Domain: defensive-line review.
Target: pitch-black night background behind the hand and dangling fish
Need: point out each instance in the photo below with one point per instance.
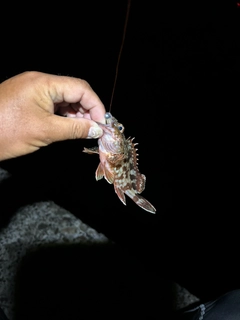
(177, 93)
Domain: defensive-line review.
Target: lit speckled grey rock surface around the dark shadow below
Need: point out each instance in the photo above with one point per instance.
(45, 223)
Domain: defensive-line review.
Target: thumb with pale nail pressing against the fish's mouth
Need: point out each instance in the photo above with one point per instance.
(63, 128)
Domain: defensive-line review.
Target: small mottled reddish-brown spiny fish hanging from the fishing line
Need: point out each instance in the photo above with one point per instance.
(119, 163)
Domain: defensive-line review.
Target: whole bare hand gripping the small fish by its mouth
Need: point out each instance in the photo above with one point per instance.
(32, 106)
